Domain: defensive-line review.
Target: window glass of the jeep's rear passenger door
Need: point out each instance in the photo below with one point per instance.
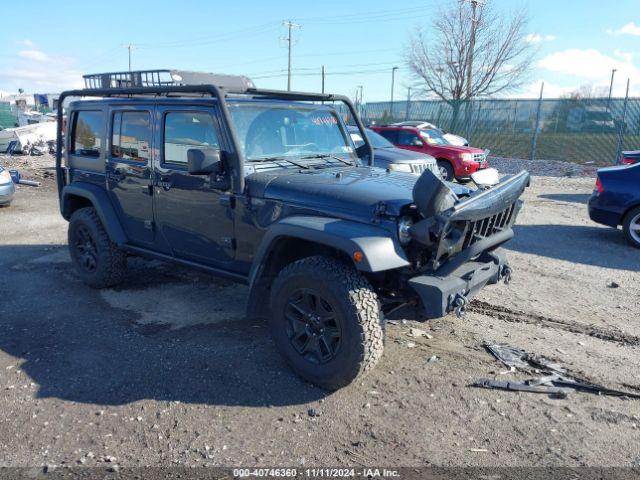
(131, 136)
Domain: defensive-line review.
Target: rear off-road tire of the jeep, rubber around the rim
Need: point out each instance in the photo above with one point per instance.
(110, 261)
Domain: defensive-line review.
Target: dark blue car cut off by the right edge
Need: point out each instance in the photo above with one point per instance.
(616, 200)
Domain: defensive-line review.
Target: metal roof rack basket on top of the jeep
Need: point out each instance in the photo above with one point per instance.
(165, 78)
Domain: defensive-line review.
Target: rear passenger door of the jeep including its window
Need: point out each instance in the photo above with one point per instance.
(129, 171)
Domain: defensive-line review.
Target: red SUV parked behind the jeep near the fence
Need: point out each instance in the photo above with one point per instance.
(453, 162)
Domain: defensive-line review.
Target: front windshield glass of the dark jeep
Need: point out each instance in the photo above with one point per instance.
(289, 130)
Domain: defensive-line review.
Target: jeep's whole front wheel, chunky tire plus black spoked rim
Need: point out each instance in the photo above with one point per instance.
(326, 321)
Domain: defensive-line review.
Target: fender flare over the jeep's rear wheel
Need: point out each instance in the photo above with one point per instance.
(102, 204)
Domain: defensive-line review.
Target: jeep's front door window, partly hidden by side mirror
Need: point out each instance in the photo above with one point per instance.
(186, 130)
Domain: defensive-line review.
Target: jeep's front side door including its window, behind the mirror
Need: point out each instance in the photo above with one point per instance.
(192, 212)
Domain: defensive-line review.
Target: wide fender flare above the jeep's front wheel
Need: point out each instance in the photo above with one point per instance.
(380, 250)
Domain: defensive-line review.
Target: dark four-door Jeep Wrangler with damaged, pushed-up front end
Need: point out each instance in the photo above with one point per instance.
(266, 188)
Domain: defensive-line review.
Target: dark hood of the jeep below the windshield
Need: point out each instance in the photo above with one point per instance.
(353, 192)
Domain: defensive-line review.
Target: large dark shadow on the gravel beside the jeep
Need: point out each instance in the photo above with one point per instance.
(77, 346)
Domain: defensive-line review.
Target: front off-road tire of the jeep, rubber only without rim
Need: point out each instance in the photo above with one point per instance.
(357, 307)
